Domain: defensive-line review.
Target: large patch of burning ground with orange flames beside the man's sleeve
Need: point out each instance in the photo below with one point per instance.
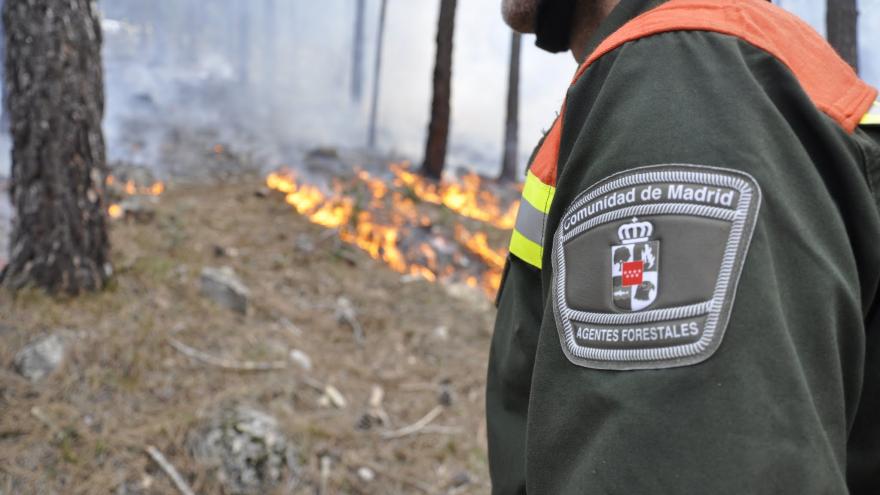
(389, 221)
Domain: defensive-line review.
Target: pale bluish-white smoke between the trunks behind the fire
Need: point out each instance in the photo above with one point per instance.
(278, 79)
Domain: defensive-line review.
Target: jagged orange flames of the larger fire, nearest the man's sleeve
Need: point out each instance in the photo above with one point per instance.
(359, 226)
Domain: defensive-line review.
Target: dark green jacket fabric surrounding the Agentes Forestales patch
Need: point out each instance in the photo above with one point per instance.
(789, 402)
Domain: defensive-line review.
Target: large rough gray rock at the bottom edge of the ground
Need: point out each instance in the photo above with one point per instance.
(246, 449)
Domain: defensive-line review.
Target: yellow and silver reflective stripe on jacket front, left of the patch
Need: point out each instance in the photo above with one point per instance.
(527, 241)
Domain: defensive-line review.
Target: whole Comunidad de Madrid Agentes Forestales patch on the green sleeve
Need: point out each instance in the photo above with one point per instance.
(617, 306)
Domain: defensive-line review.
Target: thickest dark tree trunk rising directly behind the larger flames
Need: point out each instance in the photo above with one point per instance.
(438, 129)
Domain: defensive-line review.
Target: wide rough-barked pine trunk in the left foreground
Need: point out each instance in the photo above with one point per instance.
(54, 84)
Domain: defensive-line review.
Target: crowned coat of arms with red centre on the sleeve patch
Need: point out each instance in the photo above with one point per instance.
(635, 266)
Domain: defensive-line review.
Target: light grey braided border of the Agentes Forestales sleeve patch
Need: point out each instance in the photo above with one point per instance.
(716, 310)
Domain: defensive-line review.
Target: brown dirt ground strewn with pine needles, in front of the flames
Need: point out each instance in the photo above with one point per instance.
(83, 429)
